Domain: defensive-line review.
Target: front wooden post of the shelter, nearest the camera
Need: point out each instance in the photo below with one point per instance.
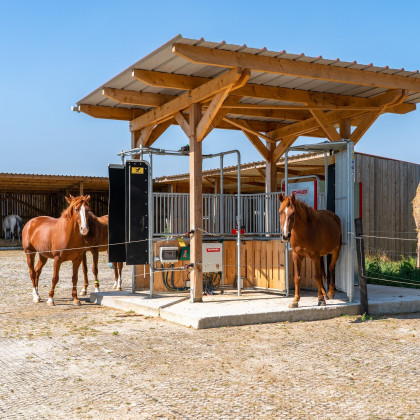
(196, 211)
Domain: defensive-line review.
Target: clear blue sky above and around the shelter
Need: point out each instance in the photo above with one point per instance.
(53, 53)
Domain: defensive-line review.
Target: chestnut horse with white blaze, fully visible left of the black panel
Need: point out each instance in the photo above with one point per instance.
(61, 239)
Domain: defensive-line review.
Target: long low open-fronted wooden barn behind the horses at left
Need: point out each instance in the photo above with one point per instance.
(30, 195)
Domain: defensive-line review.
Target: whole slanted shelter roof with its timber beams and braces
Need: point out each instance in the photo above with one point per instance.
(272, 97)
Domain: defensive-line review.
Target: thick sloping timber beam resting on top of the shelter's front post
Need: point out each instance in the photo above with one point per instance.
(199, 94)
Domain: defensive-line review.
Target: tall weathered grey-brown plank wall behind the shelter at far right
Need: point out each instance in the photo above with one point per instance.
(388, 189)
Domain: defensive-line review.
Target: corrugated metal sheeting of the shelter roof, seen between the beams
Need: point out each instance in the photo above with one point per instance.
(163, 60)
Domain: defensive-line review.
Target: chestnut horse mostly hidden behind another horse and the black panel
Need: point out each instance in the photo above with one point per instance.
(97, 241)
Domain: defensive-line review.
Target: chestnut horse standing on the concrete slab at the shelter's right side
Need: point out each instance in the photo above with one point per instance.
(312, 234)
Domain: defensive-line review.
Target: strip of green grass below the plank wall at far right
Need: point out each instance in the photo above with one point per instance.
(403, 273)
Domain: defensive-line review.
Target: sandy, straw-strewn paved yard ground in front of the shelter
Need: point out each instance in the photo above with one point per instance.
(95, 362)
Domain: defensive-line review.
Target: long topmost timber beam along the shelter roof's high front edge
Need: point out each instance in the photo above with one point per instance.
(224, 58)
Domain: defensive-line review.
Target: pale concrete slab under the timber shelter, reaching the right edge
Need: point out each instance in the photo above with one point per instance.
(255, 307)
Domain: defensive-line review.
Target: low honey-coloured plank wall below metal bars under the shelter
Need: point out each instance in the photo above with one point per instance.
(262, 266)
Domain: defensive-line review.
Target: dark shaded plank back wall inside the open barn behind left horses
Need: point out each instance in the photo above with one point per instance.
(28, 205)
